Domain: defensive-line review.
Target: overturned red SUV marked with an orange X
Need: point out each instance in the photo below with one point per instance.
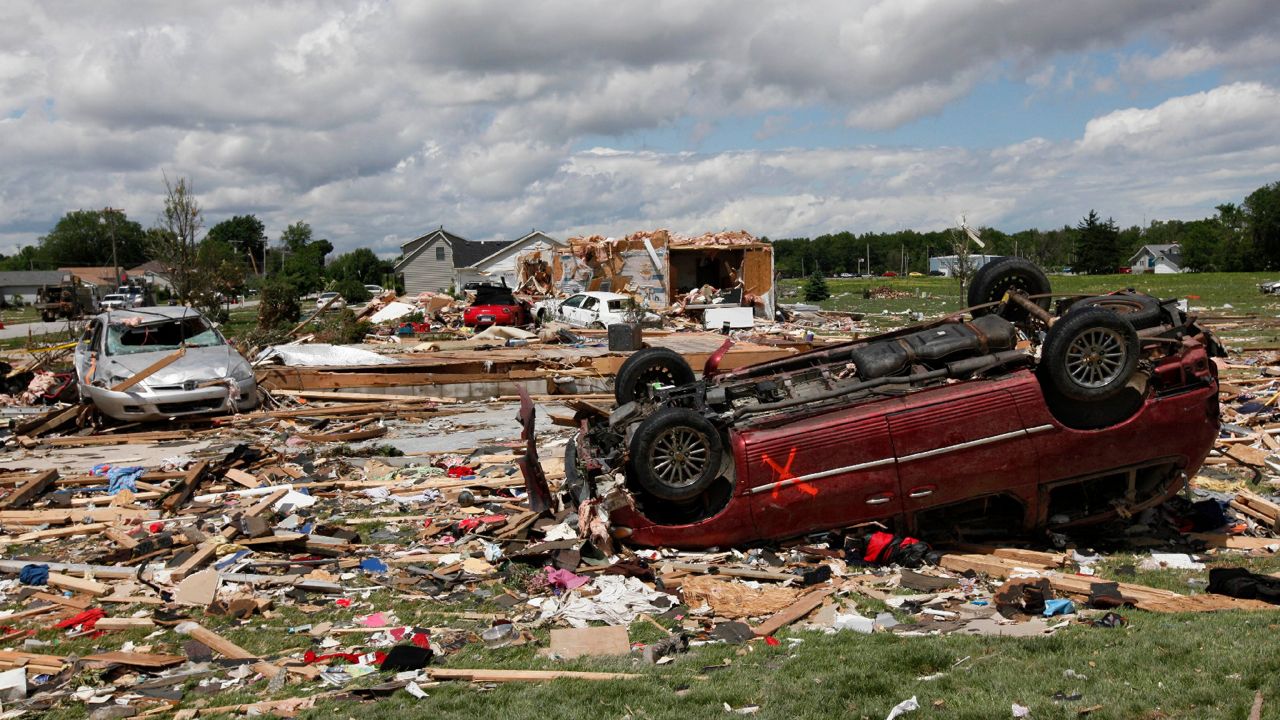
(1004, 418)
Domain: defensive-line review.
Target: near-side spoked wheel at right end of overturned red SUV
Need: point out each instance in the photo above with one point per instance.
(1090, 354)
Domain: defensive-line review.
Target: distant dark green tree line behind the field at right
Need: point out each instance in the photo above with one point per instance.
(1238, 238)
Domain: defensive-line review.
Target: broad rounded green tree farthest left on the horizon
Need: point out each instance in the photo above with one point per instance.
(84, 239)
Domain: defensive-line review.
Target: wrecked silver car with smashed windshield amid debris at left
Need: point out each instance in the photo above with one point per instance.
(186, 366)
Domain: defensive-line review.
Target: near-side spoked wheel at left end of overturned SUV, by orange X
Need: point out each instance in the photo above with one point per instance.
(676, 454)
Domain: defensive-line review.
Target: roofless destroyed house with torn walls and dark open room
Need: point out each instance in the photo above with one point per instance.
(660, 267)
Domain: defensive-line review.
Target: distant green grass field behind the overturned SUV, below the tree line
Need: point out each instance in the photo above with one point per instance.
(936, 297)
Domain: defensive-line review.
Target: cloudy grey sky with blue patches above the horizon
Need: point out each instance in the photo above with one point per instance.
(380, 121)
